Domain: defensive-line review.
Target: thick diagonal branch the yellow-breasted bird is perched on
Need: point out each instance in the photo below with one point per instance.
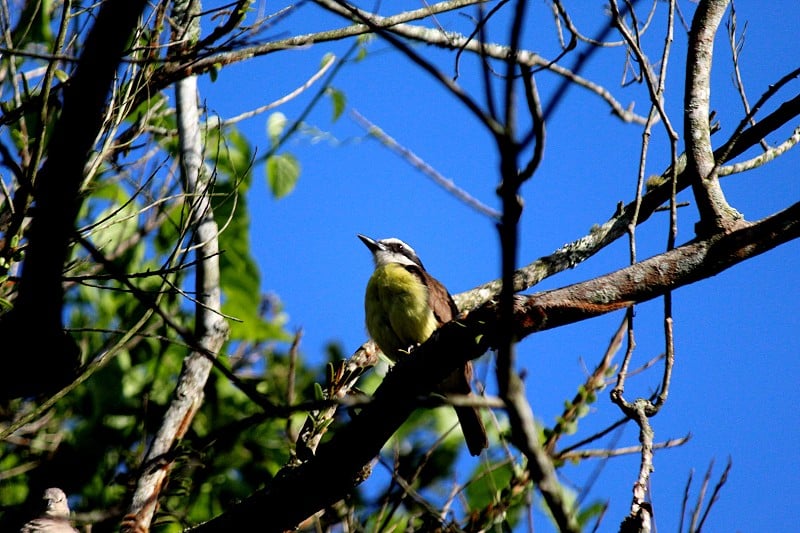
(342, 462)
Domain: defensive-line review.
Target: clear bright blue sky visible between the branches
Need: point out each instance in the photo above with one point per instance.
(735, 381)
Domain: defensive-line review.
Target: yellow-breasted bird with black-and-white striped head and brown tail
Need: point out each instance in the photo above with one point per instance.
(404, 305)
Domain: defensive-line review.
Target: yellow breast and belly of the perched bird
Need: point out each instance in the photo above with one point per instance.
(397, 310)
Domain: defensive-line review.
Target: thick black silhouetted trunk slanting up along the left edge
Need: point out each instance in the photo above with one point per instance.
(50, 356)
